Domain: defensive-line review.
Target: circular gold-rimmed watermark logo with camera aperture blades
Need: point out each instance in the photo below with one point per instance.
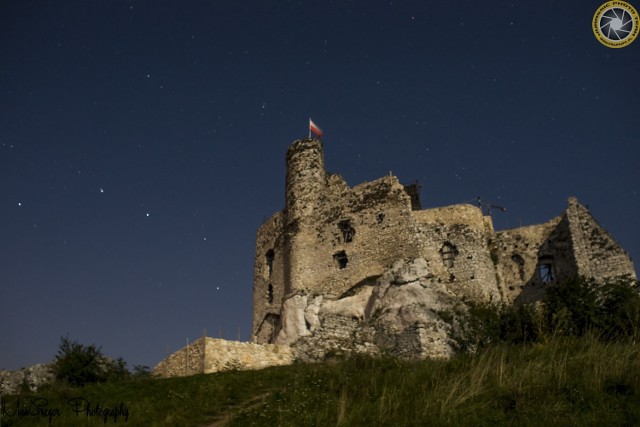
(615, 24)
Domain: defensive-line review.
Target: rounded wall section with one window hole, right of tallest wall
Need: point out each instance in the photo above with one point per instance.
(454, 241)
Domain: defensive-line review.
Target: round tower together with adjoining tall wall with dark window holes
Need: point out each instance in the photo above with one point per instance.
(335, 236)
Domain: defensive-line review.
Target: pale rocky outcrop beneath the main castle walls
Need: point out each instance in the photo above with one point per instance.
(406, 313)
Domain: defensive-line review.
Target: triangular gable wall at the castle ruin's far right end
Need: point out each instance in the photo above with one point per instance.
(597, 254)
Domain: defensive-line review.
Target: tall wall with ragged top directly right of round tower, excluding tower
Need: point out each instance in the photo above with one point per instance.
(357, 234)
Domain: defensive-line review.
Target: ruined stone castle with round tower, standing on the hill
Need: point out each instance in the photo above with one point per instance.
(333, 241)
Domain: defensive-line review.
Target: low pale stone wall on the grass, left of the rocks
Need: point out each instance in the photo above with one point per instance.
(208, 355)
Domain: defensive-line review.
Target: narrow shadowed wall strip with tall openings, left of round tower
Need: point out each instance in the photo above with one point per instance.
(268, 283)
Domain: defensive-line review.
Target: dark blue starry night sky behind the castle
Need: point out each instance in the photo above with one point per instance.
(143, 142)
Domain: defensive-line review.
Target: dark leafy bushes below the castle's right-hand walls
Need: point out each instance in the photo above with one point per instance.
(575, 307)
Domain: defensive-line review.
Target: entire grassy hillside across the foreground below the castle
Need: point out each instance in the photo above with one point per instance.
(564, 382)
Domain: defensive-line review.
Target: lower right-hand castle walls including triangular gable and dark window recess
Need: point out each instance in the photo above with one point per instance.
(570, 245)
